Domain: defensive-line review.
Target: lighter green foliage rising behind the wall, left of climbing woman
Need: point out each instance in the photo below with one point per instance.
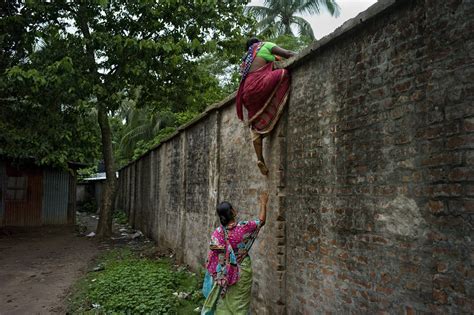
(215, 76)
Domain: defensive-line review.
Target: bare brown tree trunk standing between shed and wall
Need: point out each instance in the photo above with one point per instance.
(104, 228)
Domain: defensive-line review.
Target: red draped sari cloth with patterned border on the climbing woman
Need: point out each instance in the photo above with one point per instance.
(264, 93)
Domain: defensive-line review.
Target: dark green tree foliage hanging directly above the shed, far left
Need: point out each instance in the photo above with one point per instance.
(34, 122)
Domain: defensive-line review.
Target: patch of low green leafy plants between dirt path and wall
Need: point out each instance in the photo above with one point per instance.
(126, 283)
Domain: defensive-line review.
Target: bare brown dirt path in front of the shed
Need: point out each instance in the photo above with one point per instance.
(38, 266)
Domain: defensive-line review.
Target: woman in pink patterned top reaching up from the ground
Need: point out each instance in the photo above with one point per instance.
(228, 283)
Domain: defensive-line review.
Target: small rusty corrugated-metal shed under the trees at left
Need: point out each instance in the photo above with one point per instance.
(32, 195)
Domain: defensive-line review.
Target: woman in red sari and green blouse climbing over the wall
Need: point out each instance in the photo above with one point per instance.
(263, 91)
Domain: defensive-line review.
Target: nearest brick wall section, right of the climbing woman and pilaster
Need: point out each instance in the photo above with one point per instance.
(378, 200)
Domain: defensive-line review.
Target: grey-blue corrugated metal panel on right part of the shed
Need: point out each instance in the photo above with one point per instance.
(55, 197)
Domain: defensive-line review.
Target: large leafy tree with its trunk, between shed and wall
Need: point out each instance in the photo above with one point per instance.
(93, 57)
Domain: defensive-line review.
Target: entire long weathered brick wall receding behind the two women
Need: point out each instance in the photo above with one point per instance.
(371, 171)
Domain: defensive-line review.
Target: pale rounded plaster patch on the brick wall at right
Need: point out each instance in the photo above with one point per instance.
(402, 216)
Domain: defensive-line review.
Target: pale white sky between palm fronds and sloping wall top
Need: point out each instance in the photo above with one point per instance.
(324, 24)
